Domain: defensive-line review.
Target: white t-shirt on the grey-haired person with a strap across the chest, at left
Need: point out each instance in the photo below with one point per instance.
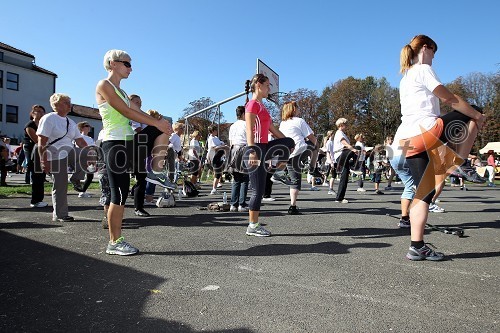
(53, 127)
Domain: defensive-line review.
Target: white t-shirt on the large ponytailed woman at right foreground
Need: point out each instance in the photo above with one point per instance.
(419, 106)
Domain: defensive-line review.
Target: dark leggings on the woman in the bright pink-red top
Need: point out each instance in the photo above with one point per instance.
(265, 151)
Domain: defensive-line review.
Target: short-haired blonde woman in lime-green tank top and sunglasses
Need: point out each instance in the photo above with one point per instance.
(116, 114)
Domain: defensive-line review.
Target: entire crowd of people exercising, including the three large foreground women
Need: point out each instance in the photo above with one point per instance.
(259, 153)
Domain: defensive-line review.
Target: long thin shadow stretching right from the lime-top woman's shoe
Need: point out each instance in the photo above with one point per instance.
(280, 250)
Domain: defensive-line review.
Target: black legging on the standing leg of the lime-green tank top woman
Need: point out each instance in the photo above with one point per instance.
(118, 157)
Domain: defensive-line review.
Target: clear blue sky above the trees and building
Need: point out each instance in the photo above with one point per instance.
(187, 49)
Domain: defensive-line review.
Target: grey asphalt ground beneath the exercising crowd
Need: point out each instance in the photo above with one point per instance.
(335, 268)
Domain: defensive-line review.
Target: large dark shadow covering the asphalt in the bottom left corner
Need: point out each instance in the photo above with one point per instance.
(47, 289)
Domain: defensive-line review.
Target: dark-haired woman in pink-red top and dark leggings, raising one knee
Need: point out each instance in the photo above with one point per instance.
(259, 149)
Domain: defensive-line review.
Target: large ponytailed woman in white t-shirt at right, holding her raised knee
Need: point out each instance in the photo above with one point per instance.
(423, 130)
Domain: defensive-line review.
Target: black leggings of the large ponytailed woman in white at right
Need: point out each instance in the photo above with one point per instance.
(455, 128)
